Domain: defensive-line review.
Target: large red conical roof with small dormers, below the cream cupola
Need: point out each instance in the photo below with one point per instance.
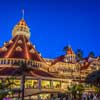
(25, 52)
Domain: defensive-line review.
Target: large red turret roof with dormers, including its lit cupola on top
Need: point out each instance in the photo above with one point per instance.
(20, 46)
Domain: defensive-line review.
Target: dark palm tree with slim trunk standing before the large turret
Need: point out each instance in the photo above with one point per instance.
(23, 68)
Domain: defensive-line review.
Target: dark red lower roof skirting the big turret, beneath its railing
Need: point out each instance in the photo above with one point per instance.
(34, 73)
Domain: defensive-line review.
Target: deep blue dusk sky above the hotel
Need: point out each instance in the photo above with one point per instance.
(54, 24)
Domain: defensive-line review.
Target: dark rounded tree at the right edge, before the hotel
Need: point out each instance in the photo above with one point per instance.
(94, 79)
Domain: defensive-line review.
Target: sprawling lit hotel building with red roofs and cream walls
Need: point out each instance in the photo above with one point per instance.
(47, 76)
